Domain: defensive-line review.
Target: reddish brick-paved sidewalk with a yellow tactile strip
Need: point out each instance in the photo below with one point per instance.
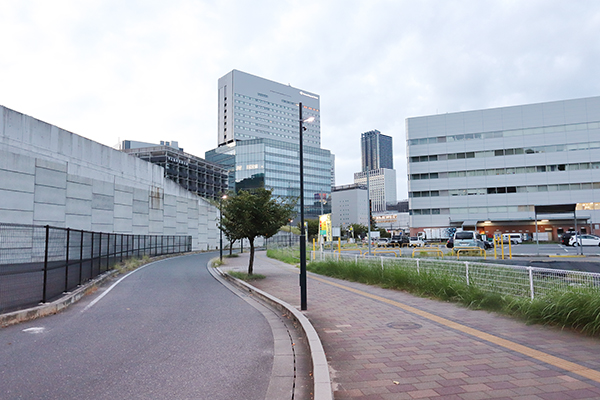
(385, 344)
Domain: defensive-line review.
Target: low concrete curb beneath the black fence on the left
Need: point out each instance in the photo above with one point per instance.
(54, 307)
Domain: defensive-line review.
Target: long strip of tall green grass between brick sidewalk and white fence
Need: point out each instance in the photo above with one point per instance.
(576, 308)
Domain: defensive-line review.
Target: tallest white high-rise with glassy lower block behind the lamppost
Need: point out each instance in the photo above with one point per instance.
(259, 136)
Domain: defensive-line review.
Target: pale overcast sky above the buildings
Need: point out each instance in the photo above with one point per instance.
(113, 70)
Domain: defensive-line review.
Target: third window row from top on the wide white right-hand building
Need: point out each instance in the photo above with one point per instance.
(507, 171)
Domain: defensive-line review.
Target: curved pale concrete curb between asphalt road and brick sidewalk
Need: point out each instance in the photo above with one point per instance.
(322, 381)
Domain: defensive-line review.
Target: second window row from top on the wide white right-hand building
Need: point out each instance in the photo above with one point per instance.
(507, 152)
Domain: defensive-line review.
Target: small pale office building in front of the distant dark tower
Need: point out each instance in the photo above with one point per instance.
(382, 187)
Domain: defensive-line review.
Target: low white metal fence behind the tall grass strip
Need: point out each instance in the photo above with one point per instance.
(512, 280)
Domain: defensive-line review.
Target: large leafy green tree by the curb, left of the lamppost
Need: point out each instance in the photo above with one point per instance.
(248, 215)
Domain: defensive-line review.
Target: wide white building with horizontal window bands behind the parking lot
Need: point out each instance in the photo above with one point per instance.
(488, 168)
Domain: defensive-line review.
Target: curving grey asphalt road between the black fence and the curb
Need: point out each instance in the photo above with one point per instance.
(167, 331)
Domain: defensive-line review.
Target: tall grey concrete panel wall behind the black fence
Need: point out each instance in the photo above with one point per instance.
(49, 176)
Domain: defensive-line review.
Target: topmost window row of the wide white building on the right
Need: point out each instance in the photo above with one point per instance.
(506, 133)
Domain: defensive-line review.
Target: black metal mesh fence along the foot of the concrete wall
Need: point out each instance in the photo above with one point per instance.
(40, 263)
